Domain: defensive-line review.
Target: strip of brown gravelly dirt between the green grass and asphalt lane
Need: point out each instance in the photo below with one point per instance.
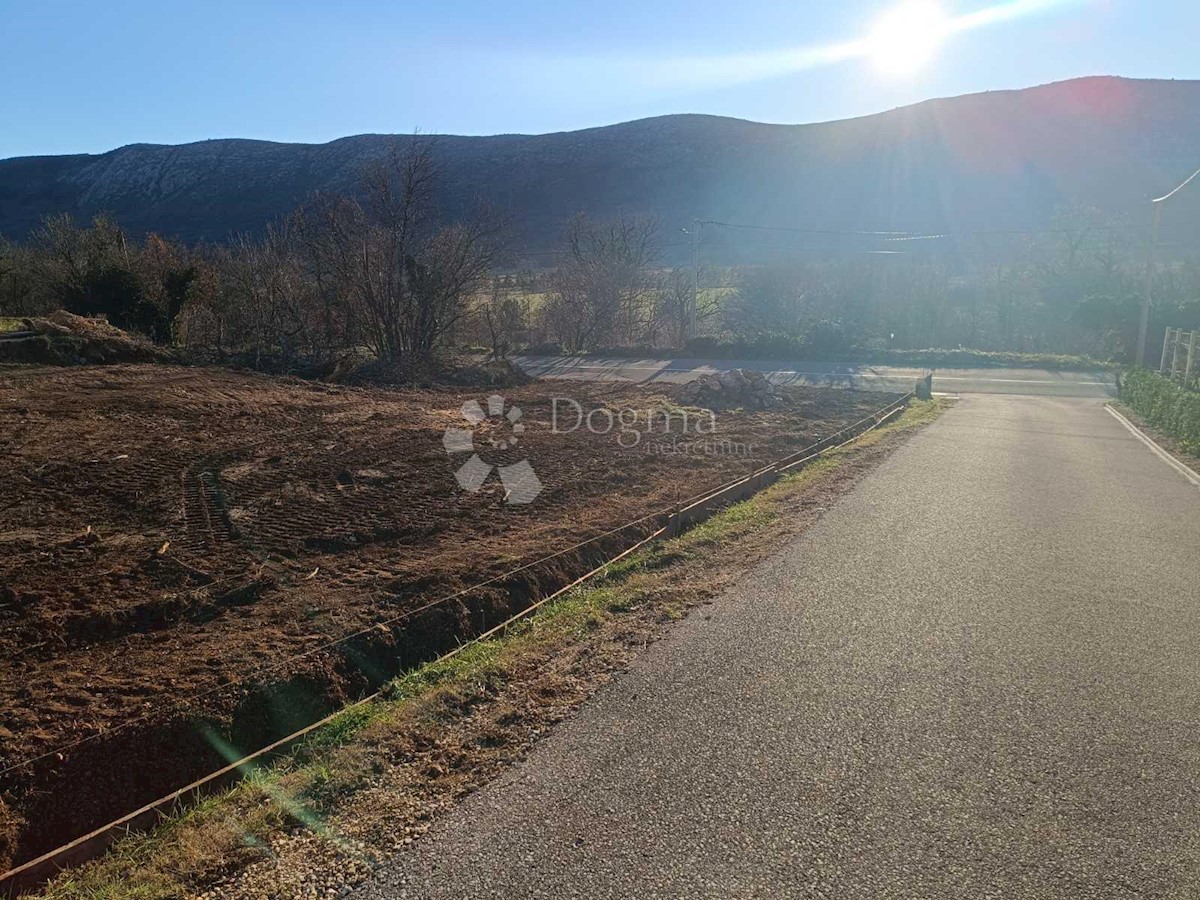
(376, 796)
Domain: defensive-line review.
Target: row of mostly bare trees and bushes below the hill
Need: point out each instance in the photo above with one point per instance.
(381, 272)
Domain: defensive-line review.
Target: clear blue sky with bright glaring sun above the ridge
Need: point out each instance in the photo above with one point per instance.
(89, 77)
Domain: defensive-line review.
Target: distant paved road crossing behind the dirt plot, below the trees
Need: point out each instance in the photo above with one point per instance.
(881, 379)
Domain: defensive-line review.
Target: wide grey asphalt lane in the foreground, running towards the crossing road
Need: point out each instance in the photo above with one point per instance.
(979, 676)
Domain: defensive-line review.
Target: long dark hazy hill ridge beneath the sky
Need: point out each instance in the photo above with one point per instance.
(1004, 160)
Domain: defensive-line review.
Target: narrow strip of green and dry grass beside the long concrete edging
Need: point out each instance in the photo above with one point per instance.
(231, 831)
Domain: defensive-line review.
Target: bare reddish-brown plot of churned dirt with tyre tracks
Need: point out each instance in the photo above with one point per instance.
(179, 547)
